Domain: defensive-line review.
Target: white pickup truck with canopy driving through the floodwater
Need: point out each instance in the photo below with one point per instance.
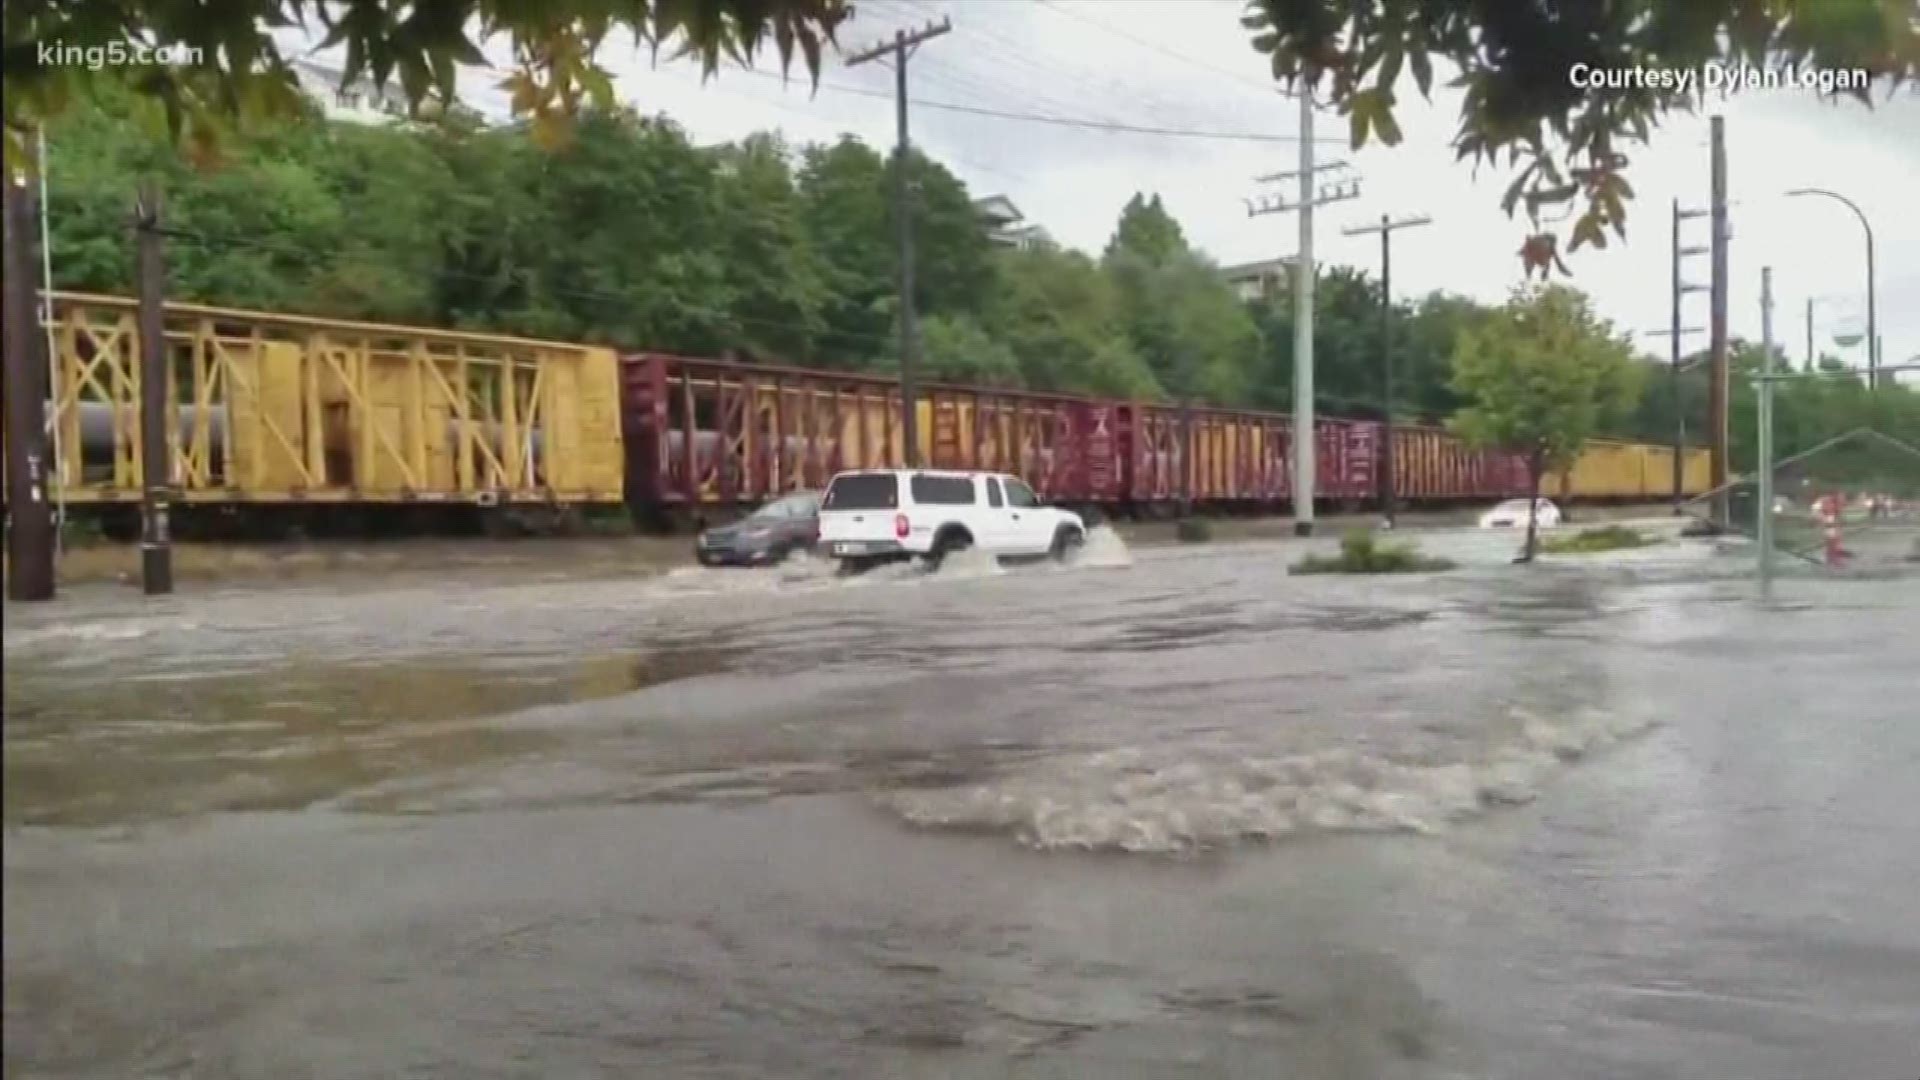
(886, 516)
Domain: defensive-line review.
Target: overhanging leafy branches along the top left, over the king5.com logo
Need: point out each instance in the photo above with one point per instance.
(241, 72)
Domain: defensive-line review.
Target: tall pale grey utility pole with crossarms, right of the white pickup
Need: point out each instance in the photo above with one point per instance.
(1341, 187)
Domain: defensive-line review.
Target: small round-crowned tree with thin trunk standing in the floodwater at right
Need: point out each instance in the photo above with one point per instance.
(1541, 378)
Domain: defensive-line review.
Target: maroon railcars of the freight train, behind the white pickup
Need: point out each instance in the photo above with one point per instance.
(719, 433)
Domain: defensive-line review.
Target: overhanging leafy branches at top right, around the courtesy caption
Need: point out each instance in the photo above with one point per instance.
(1522, 103)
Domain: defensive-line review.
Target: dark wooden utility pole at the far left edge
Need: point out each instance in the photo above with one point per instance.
(30, 541)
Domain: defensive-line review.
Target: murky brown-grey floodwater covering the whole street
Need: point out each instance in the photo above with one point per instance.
(1170, 814)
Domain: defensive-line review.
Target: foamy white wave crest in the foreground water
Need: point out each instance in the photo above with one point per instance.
(1168, 800)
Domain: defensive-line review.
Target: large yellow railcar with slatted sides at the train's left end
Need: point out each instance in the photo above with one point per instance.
(279, 408)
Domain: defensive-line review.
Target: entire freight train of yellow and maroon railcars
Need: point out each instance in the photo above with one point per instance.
(295, 420)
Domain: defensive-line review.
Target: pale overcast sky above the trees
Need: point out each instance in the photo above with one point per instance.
(1188, 64)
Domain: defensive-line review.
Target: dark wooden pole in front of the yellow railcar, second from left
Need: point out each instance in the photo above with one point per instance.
(156, 458)
